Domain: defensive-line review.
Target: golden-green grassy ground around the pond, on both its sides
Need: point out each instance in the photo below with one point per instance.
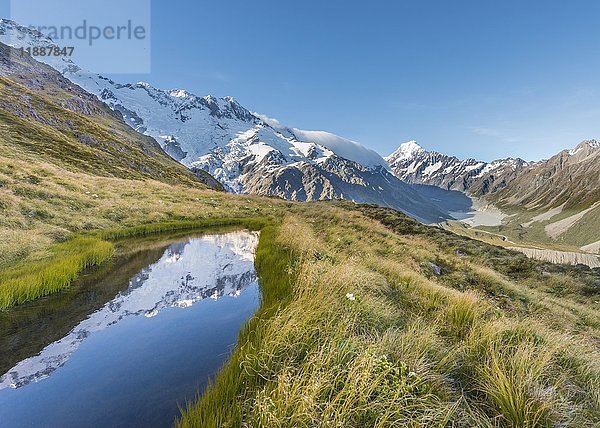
(368, 318)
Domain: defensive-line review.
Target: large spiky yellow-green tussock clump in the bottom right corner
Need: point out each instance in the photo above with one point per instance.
(514, 365)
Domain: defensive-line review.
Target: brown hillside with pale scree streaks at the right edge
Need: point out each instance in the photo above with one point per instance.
(557, 200)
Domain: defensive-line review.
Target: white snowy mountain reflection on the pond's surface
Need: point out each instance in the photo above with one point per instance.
(176, 280)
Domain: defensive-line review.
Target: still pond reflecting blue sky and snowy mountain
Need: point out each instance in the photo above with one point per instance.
(132, 341)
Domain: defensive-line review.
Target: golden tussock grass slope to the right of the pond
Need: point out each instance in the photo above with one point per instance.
(493, 340)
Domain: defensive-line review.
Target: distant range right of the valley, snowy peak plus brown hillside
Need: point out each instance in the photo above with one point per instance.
(556, 200)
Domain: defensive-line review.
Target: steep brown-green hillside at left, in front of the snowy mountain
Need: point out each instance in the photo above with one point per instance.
(44, 115)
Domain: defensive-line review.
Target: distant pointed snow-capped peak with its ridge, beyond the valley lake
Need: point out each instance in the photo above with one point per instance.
(413, 164)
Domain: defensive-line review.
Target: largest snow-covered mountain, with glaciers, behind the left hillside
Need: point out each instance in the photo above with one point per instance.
(245, 151)
